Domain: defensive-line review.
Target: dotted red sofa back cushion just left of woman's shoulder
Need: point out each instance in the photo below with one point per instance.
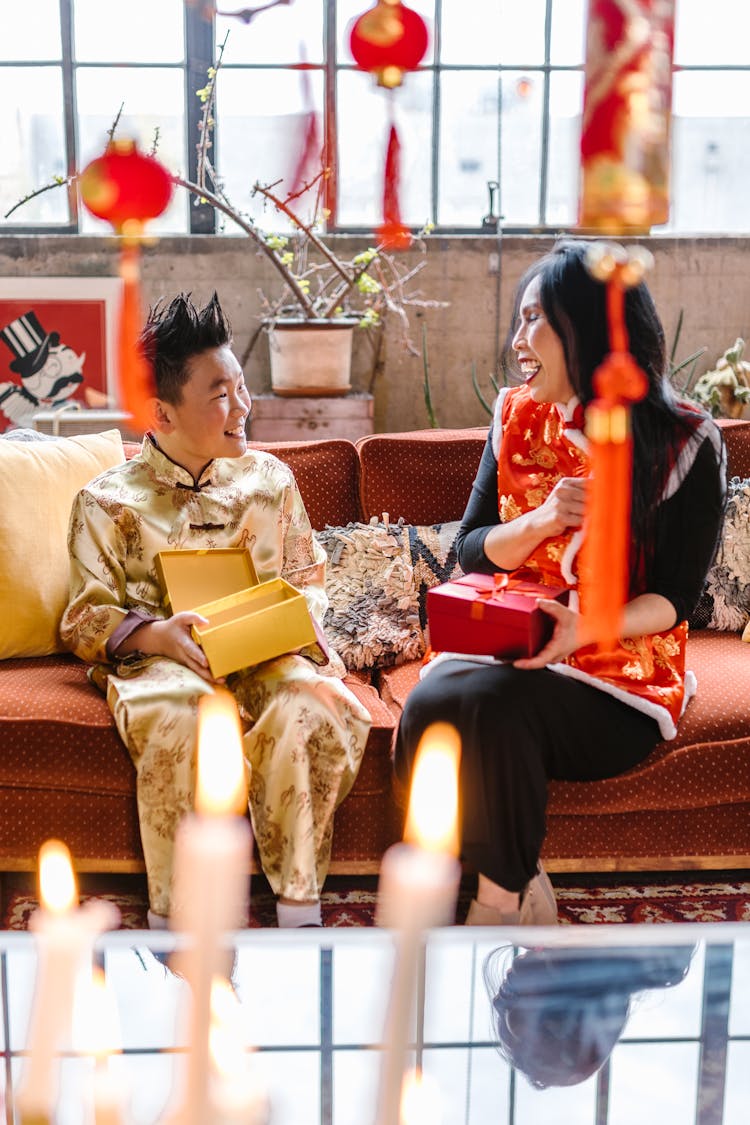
(421, 478)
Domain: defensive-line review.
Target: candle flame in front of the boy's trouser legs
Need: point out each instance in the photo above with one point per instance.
(222, 788)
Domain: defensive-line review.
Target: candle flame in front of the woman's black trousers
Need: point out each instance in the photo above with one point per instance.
(432, 822)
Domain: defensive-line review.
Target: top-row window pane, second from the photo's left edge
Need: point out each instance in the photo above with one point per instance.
(97, 41)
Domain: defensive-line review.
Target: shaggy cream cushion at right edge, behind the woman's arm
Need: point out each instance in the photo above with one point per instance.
(726, 599)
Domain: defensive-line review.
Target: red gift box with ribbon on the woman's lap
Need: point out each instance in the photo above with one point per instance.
(491, 616)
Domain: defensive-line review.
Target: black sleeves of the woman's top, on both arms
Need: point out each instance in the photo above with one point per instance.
(688, 528)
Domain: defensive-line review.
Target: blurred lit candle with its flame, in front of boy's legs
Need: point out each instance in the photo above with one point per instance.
(212, 861)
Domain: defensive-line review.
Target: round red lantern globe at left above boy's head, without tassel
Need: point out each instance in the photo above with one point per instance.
(125, 187)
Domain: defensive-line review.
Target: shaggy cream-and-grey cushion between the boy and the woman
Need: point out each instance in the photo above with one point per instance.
(377, 582)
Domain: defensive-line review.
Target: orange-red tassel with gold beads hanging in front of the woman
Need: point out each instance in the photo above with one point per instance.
(618, 383)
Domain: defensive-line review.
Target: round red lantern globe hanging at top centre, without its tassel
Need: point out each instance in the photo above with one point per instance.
(387, 41)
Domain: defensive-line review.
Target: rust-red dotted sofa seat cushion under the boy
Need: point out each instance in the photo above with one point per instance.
(66, 773)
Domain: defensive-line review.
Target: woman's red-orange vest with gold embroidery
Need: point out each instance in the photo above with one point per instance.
(536, 453)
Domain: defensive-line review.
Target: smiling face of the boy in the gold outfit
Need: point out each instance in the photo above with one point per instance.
(210, 420)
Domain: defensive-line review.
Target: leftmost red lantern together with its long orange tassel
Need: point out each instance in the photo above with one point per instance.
(128, 188)
